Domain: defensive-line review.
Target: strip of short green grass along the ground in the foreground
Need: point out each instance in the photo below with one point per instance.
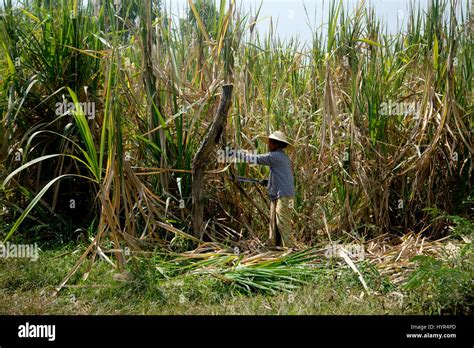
(26, 289)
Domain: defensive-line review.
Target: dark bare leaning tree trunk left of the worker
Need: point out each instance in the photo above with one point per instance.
(201, 159)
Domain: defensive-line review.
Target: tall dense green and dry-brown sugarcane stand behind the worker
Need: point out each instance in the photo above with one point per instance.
(154, 79)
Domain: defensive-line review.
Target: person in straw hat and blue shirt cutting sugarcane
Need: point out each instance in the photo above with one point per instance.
(281, 189)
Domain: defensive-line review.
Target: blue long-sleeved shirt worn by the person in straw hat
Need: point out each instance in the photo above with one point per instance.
(281, 181)
